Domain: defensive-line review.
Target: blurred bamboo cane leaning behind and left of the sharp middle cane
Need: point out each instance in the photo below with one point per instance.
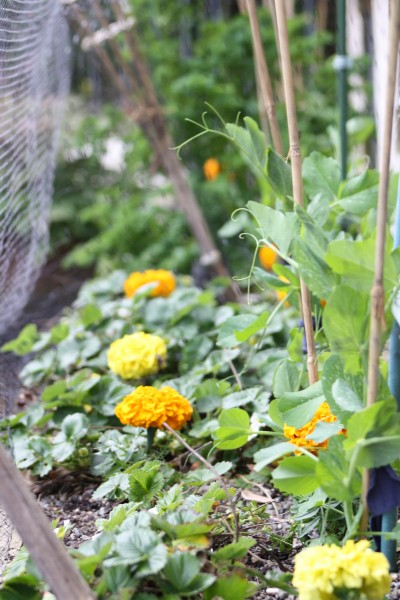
(267, 94)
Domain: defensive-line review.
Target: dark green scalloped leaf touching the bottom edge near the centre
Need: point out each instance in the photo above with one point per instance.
(182, 572)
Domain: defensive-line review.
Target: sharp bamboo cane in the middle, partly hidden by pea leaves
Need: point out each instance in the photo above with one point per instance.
(295, 153)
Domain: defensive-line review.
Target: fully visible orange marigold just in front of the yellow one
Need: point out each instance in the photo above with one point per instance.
(148, 407)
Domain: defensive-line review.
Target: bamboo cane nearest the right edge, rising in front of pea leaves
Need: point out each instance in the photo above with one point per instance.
(377, 291)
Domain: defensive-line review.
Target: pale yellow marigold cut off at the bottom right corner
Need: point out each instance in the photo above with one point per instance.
(321, 570)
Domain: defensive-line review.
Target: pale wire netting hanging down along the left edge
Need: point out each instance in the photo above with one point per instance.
(34, 80)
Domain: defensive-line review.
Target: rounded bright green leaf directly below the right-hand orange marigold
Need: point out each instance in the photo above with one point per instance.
(296, 475)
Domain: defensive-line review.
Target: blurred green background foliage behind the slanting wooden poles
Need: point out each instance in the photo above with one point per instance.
(112, 206)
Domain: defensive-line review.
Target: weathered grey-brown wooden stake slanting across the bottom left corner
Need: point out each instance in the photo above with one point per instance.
(48, 552)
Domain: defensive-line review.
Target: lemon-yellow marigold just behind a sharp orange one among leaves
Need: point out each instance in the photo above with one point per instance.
(137, 355)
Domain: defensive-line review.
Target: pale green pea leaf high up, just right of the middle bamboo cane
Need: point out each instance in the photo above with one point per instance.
(321, 175)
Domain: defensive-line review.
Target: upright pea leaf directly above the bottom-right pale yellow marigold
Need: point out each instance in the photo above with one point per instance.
(332, 472)
